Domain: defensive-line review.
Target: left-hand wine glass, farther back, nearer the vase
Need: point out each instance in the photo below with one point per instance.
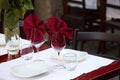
(36, 39)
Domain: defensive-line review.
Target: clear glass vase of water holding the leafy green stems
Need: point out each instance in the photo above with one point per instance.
(12, 42)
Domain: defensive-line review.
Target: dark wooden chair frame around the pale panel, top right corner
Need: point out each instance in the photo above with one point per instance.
(113, 23)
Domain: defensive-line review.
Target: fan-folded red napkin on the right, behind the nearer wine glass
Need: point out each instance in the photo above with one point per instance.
(55, 24)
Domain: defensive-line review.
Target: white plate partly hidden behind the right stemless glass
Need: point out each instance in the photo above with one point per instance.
(81, 55)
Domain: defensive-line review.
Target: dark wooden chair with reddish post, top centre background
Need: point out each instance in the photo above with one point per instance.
(80, 18)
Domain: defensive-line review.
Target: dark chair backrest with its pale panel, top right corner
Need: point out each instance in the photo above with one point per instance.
(111, 12)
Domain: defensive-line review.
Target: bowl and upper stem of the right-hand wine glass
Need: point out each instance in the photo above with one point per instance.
(58, 41)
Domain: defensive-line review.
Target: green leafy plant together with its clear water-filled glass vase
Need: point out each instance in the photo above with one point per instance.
(13, 11)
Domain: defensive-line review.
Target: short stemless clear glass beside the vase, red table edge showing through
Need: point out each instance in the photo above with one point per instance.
(26, 51)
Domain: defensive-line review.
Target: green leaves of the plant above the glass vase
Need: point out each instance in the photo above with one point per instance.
(14, 10)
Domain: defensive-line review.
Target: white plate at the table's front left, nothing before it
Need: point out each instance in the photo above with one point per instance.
(30, 69)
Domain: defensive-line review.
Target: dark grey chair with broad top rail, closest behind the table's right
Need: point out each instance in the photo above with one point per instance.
(95, 36)
